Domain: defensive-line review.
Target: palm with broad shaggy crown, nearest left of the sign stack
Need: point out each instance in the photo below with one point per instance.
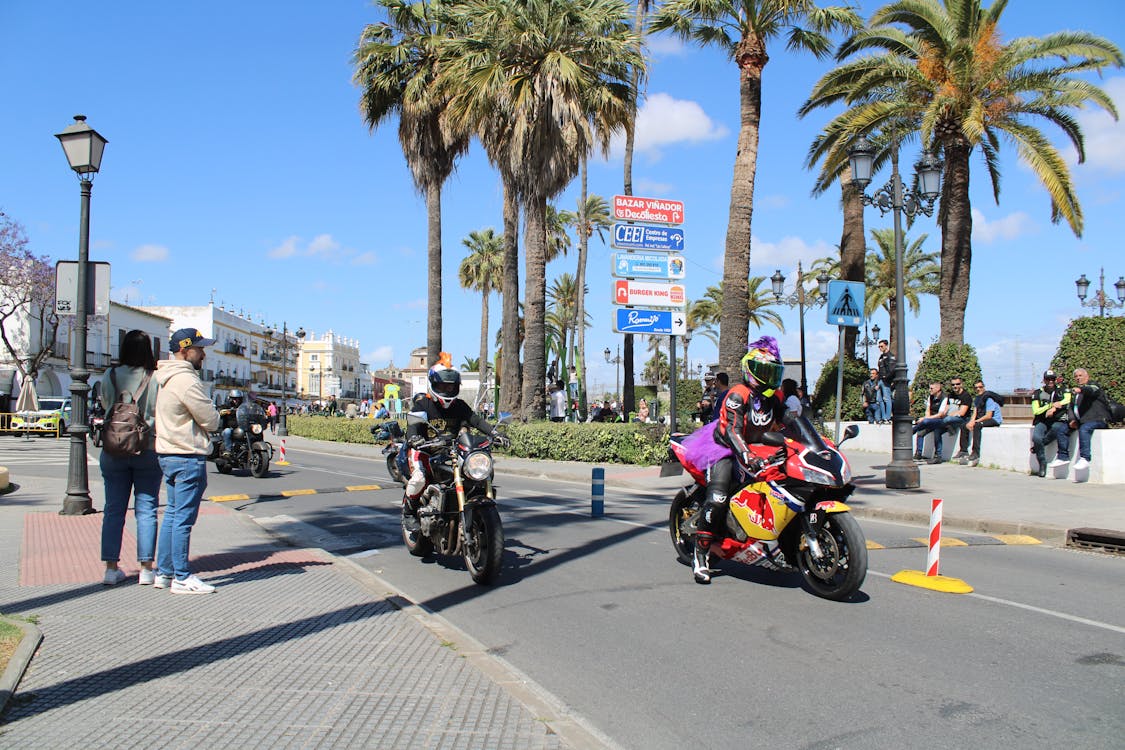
(547, 66)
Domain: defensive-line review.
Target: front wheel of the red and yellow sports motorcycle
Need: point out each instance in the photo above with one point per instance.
(840, 572)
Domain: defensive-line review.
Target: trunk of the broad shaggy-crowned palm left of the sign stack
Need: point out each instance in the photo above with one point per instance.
(535, 306)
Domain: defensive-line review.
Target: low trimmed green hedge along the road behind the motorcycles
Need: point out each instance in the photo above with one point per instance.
(645, 445)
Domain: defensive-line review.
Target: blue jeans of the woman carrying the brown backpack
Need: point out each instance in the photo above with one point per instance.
(137, 476)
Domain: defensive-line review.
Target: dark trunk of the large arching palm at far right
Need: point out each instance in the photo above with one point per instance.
(957, 243)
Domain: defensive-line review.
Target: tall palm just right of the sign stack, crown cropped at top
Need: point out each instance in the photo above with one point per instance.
(743, 29)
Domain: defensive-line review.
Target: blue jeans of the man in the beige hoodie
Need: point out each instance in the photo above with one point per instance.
(185, 482)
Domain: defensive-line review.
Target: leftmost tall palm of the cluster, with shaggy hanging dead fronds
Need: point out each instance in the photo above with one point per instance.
(397, 67)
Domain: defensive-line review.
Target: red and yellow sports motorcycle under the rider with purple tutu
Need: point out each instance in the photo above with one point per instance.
(791, 516)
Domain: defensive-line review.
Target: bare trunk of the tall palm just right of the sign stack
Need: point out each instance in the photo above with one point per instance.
(736, 269)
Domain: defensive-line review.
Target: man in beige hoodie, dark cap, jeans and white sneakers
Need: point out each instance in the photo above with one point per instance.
(185, 420)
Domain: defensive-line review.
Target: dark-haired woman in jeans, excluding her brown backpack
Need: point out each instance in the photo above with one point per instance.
(138, 476)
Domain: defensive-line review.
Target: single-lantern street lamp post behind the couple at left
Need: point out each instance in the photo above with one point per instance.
(84, 148)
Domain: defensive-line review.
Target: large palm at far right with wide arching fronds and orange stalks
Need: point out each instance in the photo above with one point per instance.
(941, 73)
